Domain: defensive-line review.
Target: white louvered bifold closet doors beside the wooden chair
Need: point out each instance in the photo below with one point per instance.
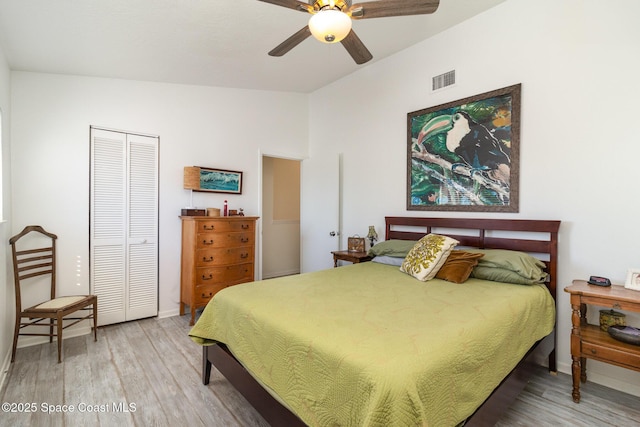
(124, 225)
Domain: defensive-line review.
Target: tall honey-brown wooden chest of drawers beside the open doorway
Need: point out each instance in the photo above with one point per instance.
(216, 252)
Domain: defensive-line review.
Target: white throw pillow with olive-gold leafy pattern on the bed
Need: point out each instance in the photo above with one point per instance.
(427, 256)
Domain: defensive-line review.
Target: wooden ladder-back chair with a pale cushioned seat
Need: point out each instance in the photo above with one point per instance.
(30, 263)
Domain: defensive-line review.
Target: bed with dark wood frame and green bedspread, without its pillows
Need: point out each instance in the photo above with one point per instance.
(367, 344)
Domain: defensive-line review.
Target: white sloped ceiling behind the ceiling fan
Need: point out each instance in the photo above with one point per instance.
(200, 42)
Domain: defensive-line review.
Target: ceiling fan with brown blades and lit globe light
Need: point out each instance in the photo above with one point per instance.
(331, 21)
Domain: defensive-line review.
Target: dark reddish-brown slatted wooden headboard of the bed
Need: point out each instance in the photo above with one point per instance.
(538, 237)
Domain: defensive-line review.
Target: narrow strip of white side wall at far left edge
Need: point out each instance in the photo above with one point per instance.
(6, 279)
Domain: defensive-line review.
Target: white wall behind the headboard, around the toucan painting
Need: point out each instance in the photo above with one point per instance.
(578, 64)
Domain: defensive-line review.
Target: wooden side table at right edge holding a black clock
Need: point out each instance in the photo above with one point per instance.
(589, 341)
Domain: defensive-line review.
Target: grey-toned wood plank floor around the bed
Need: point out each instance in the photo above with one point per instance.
(147, 373)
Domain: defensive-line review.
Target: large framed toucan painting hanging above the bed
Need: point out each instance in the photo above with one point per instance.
(464, 155)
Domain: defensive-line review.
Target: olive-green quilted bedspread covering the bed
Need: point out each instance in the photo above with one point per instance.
(367, 345)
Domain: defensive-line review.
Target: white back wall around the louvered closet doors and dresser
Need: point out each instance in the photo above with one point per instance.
(202, 126)
